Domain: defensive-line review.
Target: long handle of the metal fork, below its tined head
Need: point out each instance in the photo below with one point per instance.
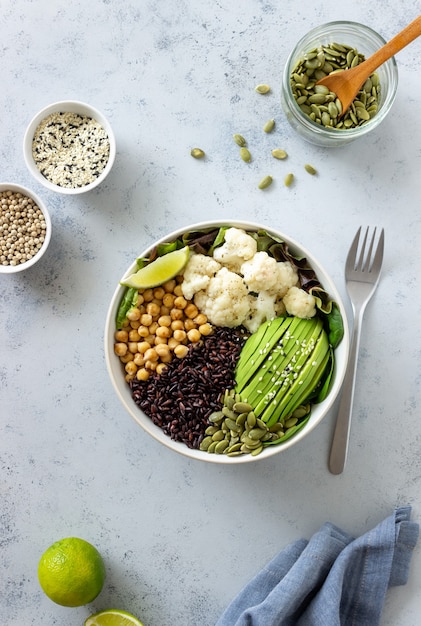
(339, 449)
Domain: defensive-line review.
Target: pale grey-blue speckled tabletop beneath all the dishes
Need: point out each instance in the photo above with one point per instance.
(181, 538)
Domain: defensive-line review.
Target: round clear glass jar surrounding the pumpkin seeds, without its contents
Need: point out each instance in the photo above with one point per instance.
(366, 41)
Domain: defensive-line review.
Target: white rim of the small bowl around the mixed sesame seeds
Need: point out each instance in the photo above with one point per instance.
(70, 106)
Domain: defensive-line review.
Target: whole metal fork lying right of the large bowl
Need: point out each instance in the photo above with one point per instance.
(362, 272)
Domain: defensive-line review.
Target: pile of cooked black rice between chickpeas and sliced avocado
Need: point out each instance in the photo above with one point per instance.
(181, 399)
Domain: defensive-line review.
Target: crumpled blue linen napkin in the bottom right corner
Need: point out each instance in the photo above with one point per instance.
(331, 580)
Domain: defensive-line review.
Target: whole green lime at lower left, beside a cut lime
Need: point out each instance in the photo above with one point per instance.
(71, 572)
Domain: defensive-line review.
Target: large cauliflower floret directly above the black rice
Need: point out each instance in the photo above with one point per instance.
(225, 302)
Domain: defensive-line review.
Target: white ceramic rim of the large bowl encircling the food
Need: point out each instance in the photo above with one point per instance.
(122, 389)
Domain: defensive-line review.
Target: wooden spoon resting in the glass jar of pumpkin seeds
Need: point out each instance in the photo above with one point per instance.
(346, 84)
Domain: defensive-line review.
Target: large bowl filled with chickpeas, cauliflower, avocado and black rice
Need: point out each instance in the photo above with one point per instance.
(226, 341)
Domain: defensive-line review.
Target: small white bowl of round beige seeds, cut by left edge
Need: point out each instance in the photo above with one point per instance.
(25, 228)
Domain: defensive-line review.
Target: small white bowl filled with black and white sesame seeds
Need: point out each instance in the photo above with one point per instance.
(69, 147)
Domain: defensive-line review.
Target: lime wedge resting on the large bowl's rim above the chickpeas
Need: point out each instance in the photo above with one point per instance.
(159, 271)
